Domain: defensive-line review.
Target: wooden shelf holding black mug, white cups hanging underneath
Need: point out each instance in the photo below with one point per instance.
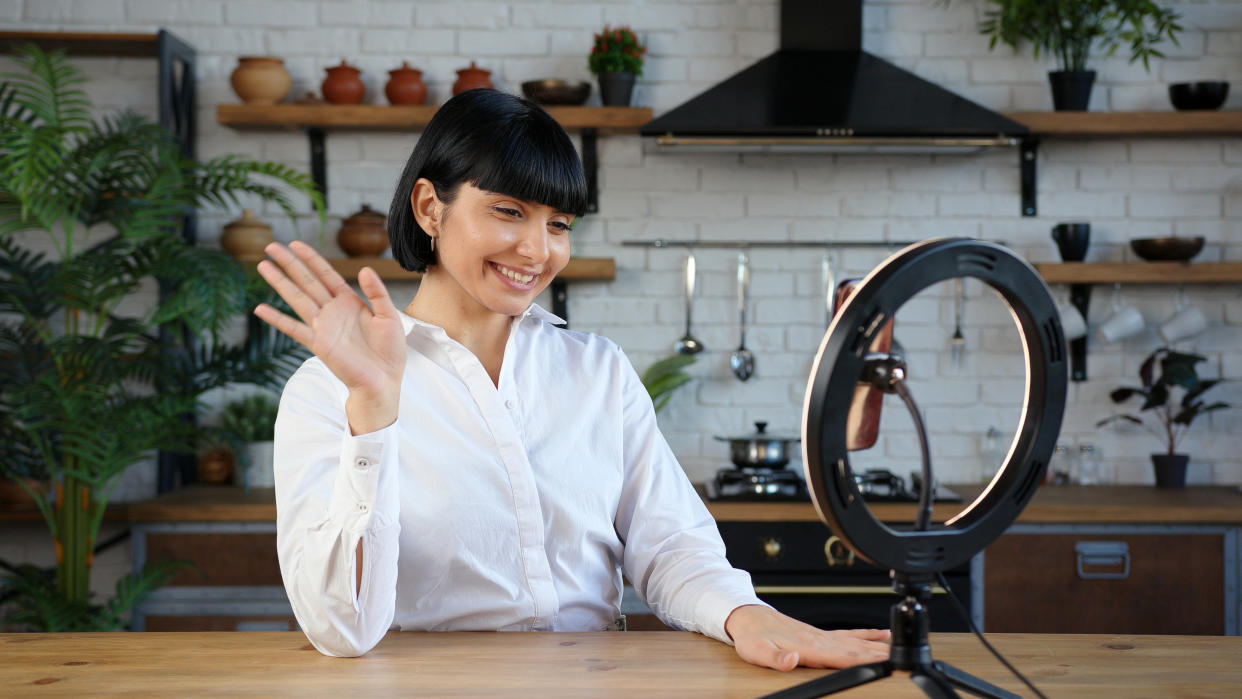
(1141, 273)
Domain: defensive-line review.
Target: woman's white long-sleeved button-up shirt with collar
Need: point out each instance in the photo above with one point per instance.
(510, 507)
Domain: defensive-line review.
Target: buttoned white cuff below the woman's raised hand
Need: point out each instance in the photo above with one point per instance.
(365, 495)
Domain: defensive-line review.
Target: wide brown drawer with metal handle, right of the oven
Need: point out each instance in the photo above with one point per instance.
(1106, 584)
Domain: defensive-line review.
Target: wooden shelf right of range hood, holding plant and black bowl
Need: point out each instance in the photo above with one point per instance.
(1097, 125)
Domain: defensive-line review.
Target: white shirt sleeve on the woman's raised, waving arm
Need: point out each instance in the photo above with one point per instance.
(335, 491)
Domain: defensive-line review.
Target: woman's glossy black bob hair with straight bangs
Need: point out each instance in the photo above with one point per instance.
(496, 142)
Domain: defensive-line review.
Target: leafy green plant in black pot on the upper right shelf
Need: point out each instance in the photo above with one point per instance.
(1072, 30)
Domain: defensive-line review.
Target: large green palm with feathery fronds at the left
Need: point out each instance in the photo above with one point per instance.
(93, 383)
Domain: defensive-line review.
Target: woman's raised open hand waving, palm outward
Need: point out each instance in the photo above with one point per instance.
(363, 347)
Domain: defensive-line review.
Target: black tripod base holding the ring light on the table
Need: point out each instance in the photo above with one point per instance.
(910, 652)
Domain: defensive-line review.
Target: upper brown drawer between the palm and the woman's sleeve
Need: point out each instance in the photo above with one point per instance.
(247, 559)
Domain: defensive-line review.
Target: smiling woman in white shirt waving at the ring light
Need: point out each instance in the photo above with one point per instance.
(466, 465)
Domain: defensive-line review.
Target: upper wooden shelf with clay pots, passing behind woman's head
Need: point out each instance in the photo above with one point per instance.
(386, 117)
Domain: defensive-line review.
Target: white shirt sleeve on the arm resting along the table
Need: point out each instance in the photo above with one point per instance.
(674, 553)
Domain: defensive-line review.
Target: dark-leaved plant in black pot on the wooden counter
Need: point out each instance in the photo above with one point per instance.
(1173, 418)
